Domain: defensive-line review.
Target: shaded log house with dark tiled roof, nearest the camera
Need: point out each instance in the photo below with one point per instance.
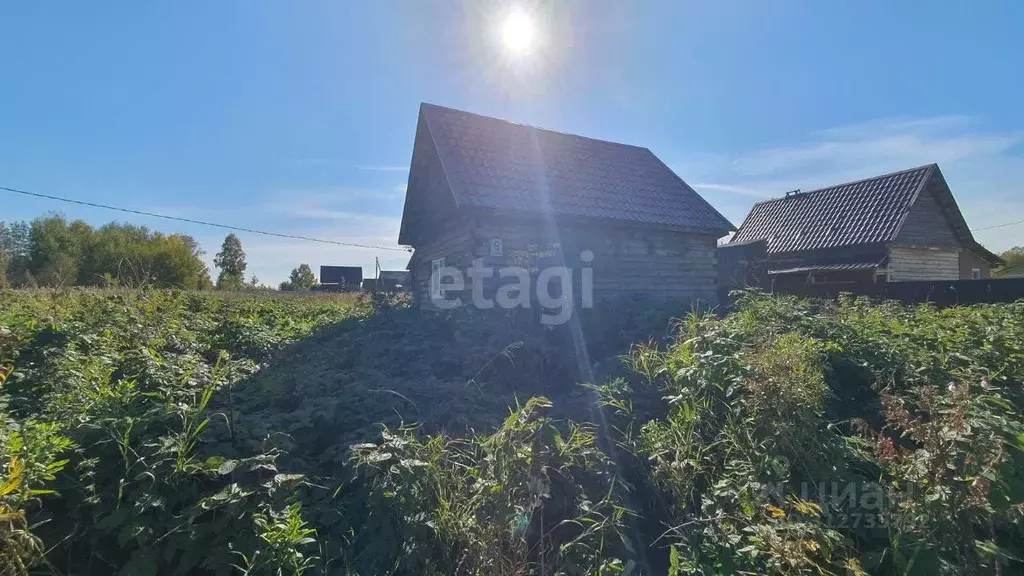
(506, 193)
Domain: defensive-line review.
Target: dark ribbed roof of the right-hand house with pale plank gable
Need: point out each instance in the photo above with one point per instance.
(870, 212)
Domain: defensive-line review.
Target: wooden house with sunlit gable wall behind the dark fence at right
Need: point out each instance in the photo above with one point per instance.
(900, 227)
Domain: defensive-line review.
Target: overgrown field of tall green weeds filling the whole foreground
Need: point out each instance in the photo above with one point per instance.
(176, 433)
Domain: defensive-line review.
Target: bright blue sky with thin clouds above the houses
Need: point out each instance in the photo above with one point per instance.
(300, 117)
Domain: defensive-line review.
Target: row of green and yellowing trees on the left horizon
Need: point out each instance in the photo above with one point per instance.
(51, 252)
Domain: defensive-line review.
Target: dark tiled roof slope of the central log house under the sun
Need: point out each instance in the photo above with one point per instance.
(497, 164)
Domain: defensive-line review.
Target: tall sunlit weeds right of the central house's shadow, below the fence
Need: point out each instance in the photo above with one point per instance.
(829, 439)
